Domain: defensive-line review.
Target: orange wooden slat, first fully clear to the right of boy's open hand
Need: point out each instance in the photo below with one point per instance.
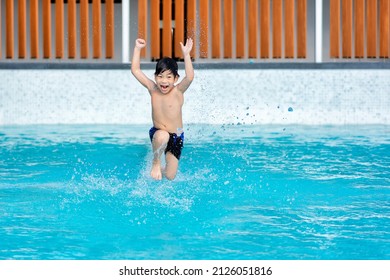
(203, 25)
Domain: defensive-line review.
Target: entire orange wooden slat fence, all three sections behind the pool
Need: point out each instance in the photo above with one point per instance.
(358, 28)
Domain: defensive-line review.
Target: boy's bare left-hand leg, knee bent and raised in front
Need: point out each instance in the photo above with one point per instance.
(159, 143)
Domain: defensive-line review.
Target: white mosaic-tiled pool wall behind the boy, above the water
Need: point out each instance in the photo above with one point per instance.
(216, 97)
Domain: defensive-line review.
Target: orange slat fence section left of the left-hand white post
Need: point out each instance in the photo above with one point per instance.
(33, 10)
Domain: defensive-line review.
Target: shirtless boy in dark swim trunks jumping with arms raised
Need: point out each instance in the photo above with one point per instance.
(167, 102)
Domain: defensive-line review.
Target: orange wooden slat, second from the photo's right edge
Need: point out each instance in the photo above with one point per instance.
(371, 28)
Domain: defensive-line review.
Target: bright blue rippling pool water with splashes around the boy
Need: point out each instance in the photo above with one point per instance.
(242, 192)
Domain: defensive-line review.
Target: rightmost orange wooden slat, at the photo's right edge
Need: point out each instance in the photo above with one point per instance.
(384, 29)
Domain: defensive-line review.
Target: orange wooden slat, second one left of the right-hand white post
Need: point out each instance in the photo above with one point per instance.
(289, 21)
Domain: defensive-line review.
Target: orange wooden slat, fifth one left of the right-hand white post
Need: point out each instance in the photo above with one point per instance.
(253, 19)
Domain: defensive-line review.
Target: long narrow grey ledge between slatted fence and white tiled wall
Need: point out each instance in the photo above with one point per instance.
(199, 65)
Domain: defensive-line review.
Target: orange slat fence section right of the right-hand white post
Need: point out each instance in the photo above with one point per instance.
(361, 25)
